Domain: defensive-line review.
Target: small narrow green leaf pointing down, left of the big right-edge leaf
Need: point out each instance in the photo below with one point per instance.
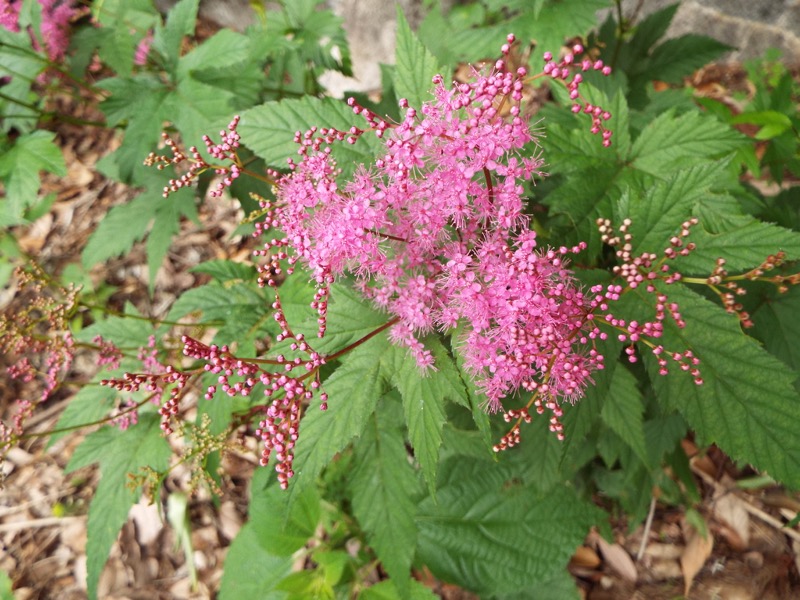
(623, 412)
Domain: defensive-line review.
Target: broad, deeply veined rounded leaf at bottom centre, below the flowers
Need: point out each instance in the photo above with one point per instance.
(489, 534)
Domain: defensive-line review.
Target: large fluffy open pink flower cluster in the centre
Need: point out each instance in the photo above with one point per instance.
(436, 234)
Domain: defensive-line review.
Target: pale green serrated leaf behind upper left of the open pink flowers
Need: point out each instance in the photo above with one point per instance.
(268, 130)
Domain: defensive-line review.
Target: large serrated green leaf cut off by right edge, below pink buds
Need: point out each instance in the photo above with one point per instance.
(747, 403)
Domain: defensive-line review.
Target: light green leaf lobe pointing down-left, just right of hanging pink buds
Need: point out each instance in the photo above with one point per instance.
(353, 392)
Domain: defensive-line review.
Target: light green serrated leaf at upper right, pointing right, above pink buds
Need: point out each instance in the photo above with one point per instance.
(671, 142)
